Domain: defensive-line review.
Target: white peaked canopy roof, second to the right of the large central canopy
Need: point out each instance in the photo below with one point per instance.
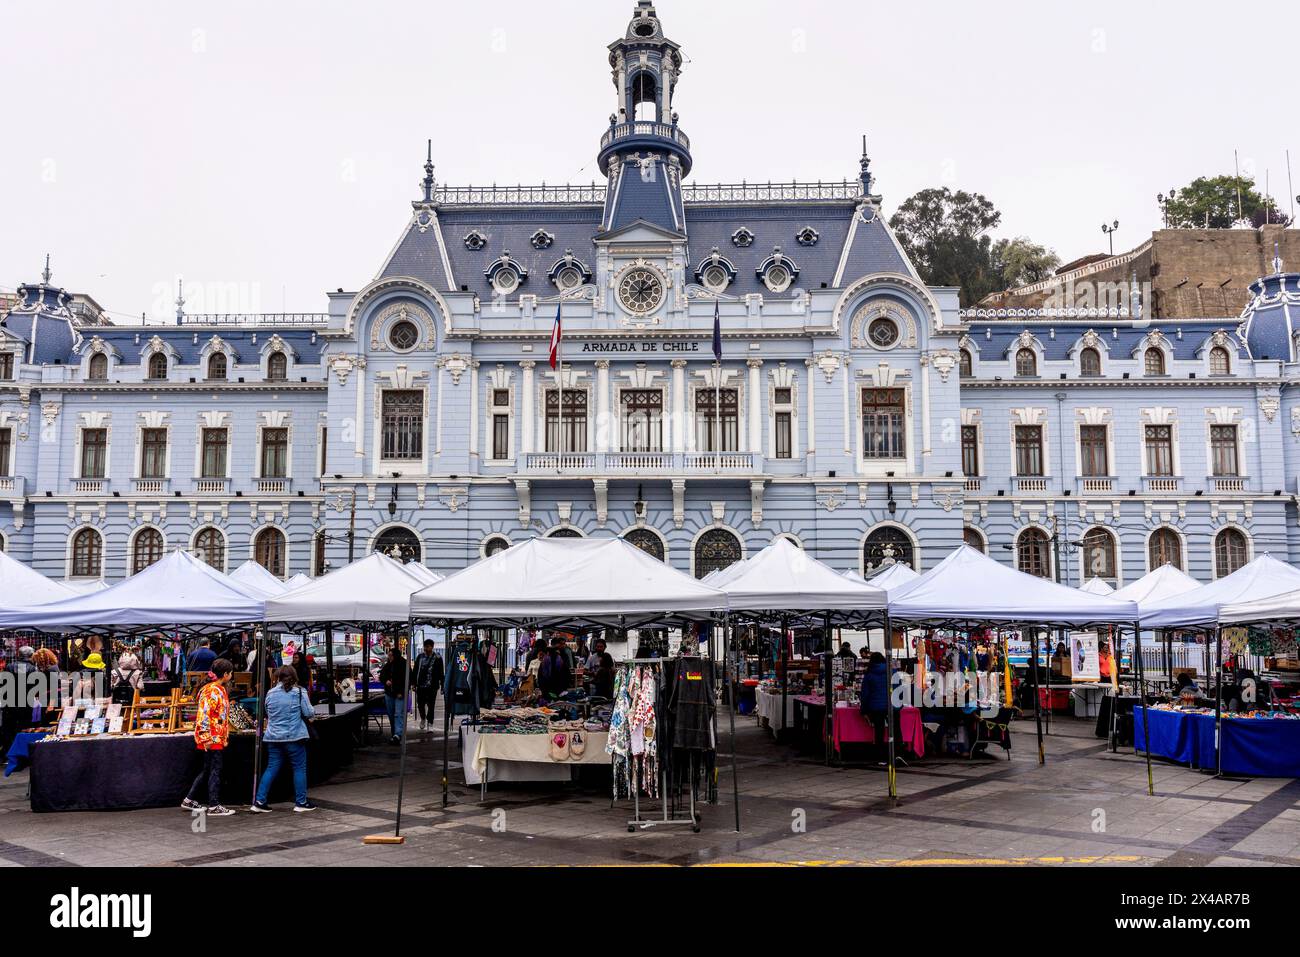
(969, 587)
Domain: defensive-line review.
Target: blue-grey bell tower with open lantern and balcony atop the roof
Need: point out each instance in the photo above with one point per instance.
(644, 154)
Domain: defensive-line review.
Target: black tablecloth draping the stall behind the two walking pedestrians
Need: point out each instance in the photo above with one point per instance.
(124, 773)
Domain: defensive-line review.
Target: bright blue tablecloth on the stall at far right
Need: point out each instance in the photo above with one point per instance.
(1255, 747)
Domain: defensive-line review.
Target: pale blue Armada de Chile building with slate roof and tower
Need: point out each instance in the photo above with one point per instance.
(853, 409)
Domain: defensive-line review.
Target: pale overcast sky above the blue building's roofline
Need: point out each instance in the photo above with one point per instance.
(270, 151)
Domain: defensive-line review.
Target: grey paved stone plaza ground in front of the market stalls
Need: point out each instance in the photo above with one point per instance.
(987, 812)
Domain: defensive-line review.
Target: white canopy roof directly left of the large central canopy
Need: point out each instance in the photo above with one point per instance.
(371, 591)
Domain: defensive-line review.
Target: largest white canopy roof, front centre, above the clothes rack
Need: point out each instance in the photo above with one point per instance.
(551, 582)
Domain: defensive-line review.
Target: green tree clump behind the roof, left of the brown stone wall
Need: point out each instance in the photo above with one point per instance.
(946, 235)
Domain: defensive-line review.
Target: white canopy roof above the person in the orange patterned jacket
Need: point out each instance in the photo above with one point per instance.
(177, 591)
